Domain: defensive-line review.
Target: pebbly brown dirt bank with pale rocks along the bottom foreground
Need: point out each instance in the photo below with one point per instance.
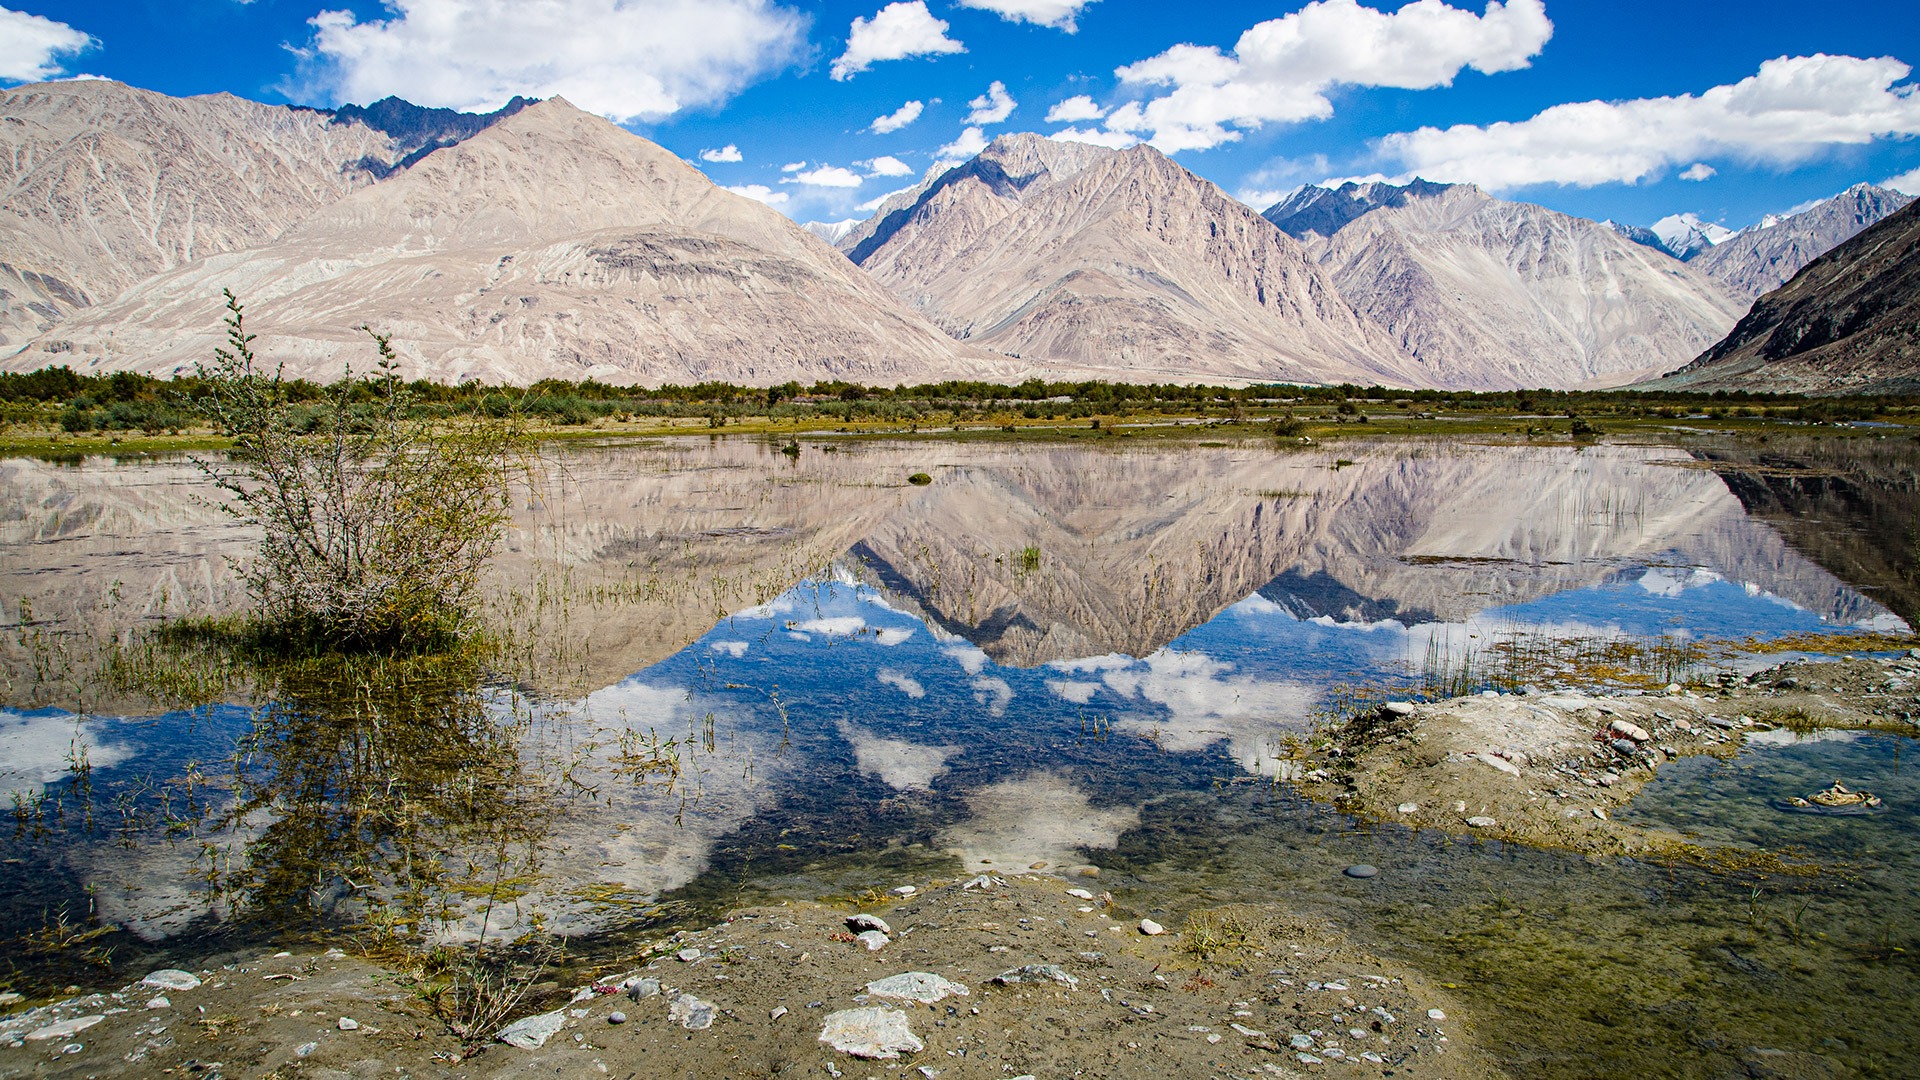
(1243, 993)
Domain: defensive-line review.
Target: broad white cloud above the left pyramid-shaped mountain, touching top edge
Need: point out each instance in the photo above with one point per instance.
(619, 59)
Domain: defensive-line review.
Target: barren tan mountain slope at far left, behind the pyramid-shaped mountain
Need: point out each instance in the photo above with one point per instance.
(105, 185)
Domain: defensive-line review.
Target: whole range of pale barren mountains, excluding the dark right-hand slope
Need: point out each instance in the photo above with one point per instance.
(540, 241)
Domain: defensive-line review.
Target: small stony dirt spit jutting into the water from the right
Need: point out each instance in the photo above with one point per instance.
(1552, 770)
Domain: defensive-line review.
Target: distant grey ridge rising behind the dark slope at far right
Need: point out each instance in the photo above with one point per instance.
(1767, 257)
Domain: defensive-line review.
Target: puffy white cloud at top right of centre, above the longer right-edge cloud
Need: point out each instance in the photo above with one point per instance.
(1282, 70)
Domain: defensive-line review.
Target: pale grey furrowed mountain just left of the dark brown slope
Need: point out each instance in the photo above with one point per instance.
(1506, 295)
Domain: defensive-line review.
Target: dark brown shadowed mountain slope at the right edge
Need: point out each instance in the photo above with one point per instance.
(1848, 324)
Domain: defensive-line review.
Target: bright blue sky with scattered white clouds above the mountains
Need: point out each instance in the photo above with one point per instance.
(1620, 109)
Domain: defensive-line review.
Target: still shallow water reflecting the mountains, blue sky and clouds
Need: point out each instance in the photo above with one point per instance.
(769, 679)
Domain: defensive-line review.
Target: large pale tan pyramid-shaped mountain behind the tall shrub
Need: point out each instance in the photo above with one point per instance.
(548, 245)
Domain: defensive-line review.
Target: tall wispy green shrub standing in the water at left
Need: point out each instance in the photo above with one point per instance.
(373, 524)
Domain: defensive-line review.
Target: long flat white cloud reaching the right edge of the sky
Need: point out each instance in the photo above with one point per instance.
(1790, 110)
